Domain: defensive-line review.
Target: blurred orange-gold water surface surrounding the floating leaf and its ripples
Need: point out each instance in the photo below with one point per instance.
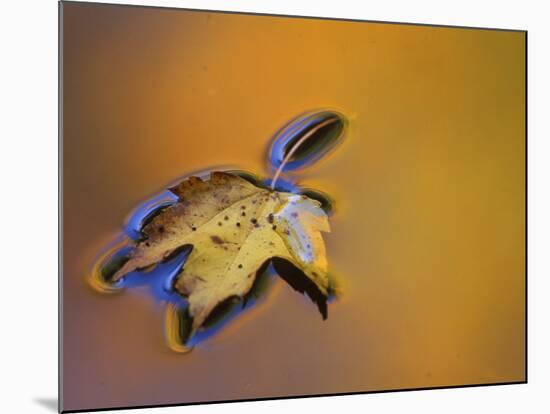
(428, 235)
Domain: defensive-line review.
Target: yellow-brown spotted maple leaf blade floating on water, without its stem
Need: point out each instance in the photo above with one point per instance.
(233, 227)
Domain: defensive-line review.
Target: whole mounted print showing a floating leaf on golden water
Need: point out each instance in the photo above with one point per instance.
(258, 207)
